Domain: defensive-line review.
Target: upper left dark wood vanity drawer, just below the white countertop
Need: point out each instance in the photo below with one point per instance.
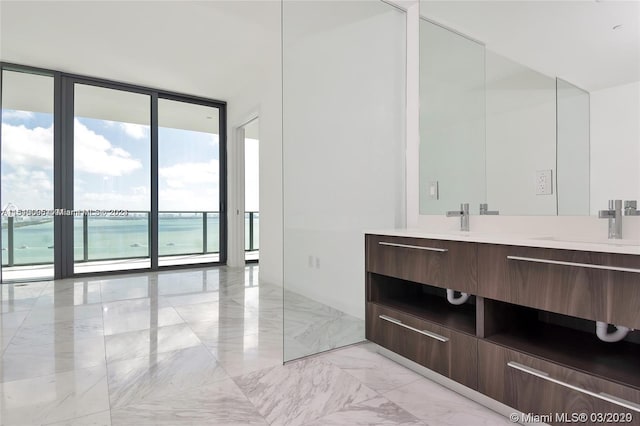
(446, 264)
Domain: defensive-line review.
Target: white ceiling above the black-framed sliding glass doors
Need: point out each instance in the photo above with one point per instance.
(213, 49)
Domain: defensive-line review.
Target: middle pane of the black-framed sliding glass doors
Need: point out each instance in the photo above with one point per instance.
(112, 179)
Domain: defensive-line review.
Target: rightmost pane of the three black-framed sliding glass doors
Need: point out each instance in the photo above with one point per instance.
(188, 183)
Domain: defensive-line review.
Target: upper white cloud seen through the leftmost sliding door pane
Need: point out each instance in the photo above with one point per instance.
(27, 147)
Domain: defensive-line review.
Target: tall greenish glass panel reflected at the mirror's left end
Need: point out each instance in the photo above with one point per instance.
(452, 121)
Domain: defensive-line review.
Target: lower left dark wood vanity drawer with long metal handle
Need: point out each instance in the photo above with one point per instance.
(440, 349)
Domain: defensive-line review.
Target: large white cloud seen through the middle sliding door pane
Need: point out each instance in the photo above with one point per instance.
(95, 154)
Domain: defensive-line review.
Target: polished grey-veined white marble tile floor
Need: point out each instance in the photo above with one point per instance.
(198, 347)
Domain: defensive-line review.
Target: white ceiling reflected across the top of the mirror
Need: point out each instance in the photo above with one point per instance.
(573, 40)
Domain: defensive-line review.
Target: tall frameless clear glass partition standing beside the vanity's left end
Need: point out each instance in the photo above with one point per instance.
(343, 160)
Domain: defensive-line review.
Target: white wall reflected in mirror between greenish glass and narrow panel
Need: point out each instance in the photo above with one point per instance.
(521, 137)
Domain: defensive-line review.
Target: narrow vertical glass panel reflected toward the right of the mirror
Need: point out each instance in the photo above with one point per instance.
(573, 181)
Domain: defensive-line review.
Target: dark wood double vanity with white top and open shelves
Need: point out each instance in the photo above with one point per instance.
(526, 336)
